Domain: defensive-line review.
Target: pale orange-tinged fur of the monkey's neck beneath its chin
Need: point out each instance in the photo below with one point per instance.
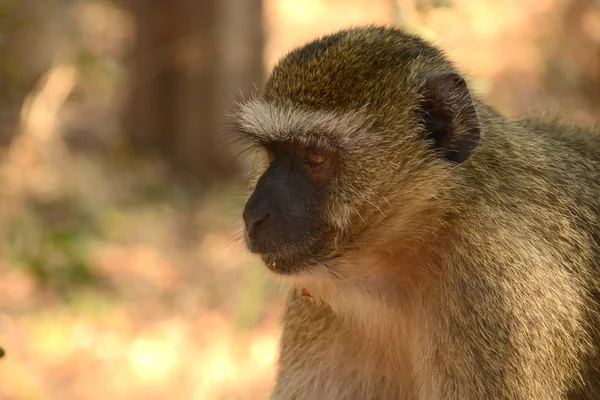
(375, 289)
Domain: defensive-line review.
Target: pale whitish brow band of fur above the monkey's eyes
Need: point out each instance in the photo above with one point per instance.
(265, 122)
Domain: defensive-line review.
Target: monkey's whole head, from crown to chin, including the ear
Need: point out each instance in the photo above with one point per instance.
(358, 134)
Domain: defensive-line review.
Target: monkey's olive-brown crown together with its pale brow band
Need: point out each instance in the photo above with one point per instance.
(337, 89)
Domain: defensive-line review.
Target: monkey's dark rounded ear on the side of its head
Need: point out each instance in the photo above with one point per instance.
(449, 117)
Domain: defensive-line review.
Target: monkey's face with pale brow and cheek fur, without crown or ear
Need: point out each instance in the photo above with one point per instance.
(329, 185)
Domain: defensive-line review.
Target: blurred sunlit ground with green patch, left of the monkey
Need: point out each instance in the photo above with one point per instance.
(167, 304)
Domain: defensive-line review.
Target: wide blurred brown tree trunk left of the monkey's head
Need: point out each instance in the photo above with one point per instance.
(192, 57)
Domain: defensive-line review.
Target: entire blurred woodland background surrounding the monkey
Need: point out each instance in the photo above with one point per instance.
(122, 272)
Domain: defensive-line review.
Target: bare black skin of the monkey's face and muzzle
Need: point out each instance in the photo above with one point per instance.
(284, 216)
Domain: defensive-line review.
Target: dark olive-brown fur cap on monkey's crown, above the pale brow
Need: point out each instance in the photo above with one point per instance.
(362, 67)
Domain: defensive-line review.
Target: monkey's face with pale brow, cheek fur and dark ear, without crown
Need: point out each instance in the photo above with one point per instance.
(342, 183)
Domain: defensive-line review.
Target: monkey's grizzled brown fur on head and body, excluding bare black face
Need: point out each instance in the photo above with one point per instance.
(442, 277)
